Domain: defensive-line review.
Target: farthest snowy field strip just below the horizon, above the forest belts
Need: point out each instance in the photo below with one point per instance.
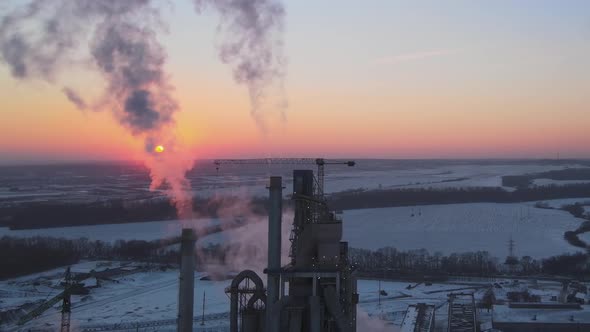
(418, 175)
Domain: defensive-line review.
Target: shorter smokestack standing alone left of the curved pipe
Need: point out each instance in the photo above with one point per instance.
(187, 281)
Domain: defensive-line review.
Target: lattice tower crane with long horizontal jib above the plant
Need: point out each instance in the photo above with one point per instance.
(320, 162)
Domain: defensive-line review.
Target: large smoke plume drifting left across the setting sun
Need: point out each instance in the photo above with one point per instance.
(41, 38)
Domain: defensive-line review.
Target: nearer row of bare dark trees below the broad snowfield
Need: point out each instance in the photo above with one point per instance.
(22, 256)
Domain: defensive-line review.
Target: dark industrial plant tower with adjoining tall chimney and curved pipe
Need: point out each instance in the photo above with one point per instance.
(316, 290)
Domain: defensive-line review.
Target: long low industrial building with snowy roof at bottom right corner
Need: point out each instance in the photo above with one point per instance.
(541, 317)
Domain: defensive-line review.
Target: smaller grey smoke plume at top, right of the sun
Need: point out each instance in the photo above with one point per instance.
(251, 43)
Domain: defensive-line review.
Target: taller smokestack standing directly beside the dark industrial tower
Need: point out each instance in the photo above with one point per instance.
(275, 215)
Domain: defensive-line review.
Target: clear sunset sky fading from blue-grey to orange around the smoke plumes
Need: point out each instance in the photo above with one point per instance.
(365, 79)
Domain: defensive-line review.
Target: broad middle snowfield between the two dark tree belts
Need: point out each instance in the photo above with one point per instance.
(444, 228)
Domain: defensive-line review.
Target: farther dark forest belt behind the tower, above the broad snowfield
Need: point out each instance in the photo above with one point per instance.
(45, 215)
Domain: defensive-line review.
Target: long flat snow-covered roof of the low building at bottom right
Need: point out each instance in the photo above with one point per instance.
(540, 313)
